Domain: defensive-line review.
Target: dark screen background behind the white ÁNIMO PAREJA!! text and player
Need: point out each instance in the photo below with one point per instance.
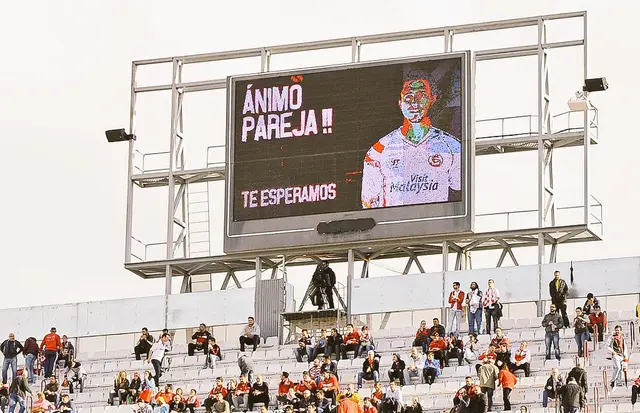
(365, 108)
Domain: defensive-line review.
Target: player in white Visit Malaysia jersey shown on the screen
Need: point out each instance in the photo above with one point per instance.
(416, 163)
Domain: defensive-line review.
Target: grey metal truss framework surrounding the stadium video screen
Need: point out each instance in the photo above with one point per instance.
(543, 136)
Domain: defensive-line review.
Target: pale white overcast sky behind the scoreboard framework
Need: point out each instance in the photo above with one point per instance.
(66, 67)
